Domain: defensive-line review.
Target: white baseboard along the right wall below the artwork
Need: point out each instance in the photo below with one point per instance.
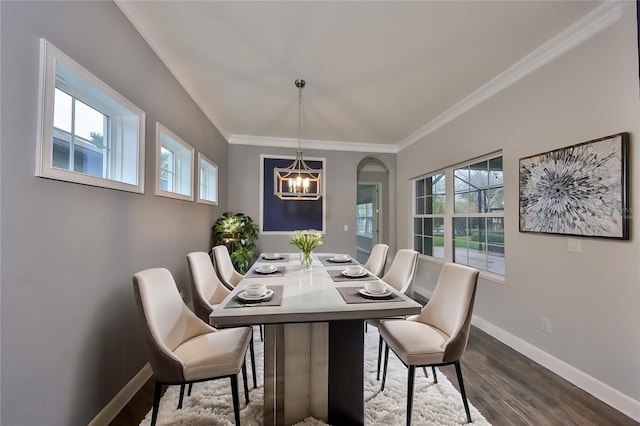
(589, 384)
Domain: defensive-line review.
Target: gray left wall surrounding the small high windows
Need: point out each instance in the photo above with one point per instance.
(71, 337)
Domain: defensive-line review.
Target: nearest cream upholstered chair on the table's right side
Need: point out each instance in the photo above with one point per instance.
(439, 335)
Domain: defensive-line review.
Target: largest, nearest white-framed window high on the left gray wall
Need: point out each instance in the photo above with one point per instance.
(87, 132)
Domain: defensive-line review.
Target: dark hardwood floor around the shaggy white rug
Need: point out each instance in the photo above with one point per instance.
(508, 388)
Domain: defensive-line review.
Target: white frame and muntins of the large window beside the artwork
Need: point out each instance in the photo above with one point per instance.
(449, 215)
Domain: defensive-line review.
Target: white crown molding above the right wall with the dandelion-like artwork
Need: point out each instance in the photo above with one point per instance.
(589, 25)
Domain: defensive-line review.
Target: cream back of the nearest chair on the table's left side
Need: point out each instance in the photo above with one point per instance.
(167, 321)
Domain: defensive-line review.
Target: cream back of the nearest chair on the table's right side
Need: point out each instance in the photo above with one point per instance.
(451, 306)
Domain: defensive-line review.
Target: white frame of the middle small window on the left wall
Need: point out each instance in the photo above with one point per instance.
(185, 155)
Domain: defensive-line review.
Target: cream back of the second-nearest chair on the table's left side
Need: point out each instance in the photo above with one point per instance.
(207, 288)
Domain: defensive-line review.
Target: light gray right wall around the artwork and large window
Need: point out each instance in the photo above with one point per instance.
(593, 297)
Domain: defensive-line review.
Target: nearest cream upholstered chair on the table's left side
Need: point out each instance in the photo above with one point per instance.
(182, 348)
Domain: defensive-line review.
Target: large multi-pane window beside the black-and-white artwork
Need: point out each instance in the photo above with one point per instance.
(459, 215)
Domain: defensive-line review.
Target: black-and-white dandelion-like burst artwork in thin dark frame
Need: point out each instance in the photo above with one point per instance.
(578, 190)
